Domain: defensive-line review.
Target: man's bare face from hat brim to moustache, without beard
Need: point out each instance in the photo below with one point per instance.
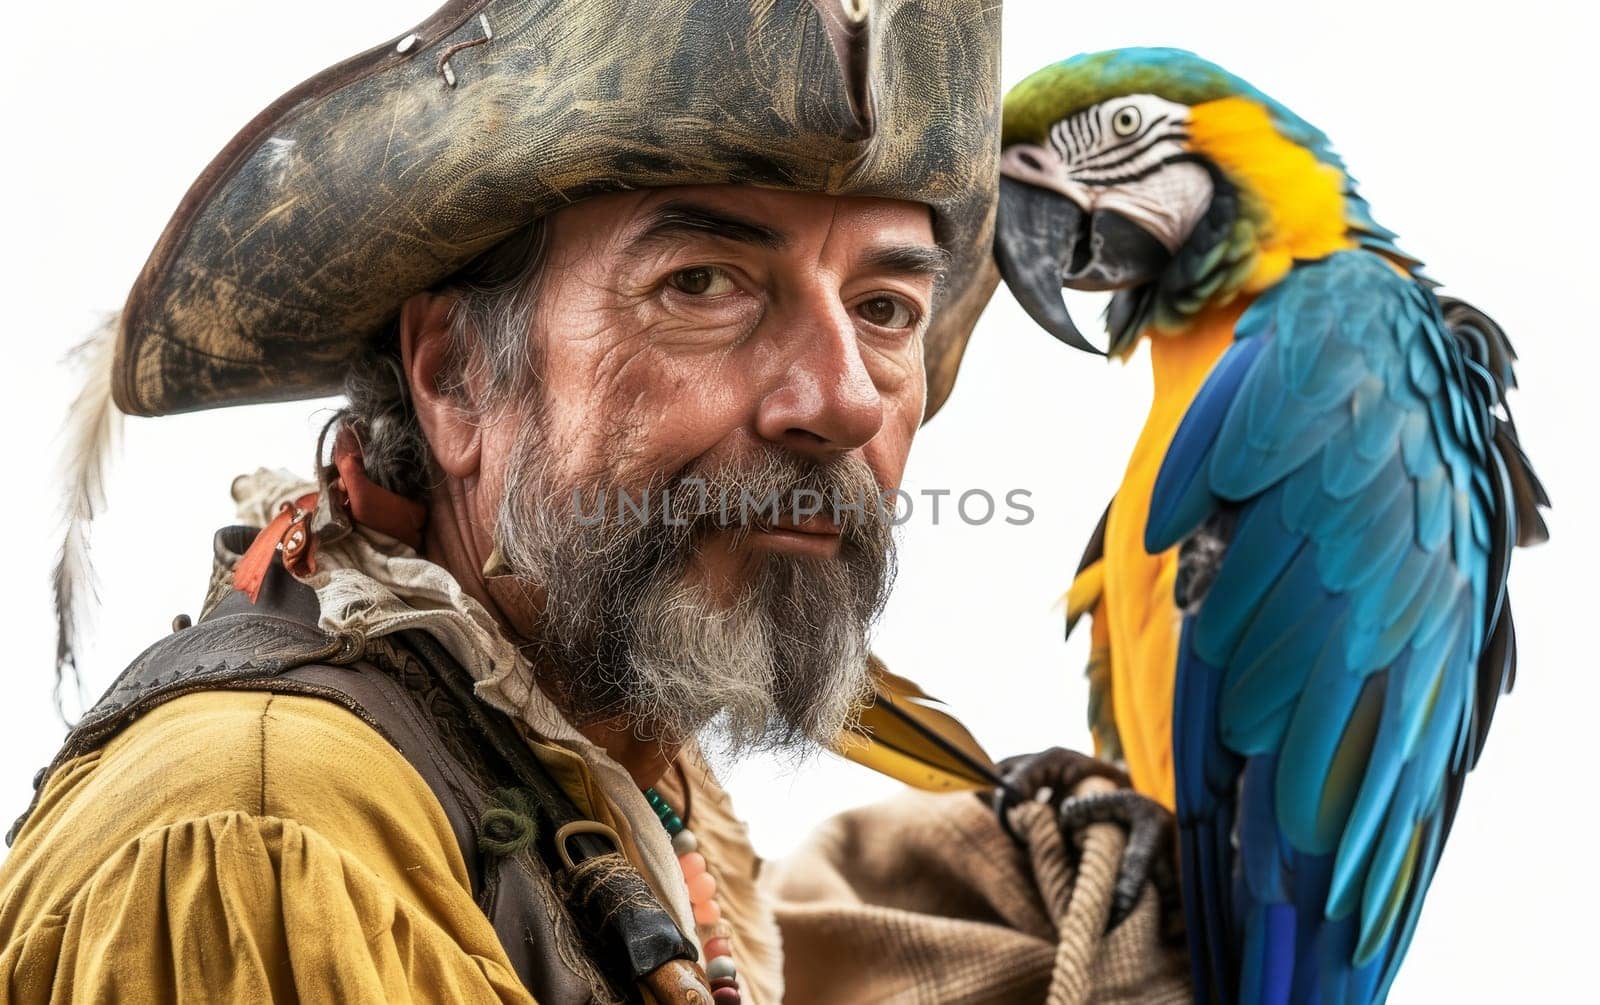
(713, 322)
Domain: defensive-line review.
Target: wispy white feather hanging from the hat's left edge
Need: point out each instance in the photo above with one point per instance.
(89, 439)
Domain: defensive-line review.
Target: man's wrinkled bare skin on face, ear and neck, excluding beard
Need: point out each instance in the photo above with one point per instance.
(663, 346)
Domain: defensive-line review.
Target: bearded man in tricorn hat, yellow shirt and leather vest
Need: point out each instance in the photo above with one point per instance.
(436, 732)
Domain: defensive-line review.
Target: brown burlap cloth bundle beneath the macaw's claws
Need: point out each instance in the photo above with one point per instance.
(924, 899)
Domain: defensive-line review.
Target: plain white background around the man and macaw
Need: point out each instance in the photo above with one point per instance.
(1470, 126)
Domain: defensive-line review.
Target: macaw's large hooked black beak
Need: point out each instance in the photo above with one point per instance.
(1046, 241)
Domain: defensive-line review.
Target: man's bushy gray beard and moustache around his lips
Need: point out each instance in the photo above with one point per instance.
(628, 635)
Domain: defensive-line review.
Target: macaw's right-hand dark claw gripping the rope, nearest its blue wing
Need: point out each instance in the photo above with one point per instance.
(1146, 859)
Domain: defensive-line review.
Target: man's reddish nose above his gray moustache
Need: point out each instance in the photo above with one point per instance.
(822, 401)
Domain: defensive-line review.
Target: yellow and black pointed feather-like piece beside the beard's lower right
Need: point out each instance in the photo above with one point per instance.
(905, 735)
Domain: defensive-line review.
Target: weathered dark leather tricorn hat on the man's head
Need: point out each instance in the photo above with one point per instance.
(386, 174)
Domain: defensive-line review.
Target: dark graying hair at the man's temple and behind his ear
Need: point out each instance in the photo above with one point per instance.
(490, 348)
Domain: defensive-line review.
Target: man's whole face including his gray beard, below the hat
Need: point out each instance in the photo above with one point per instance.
(764, 343)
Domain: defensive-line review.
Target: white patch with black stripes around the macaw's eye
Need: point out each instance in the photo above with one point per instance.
(1126, 156)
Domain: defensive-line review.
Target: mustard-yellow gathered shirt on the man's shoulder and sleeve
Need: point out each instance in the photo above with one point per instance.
(241, 846)
